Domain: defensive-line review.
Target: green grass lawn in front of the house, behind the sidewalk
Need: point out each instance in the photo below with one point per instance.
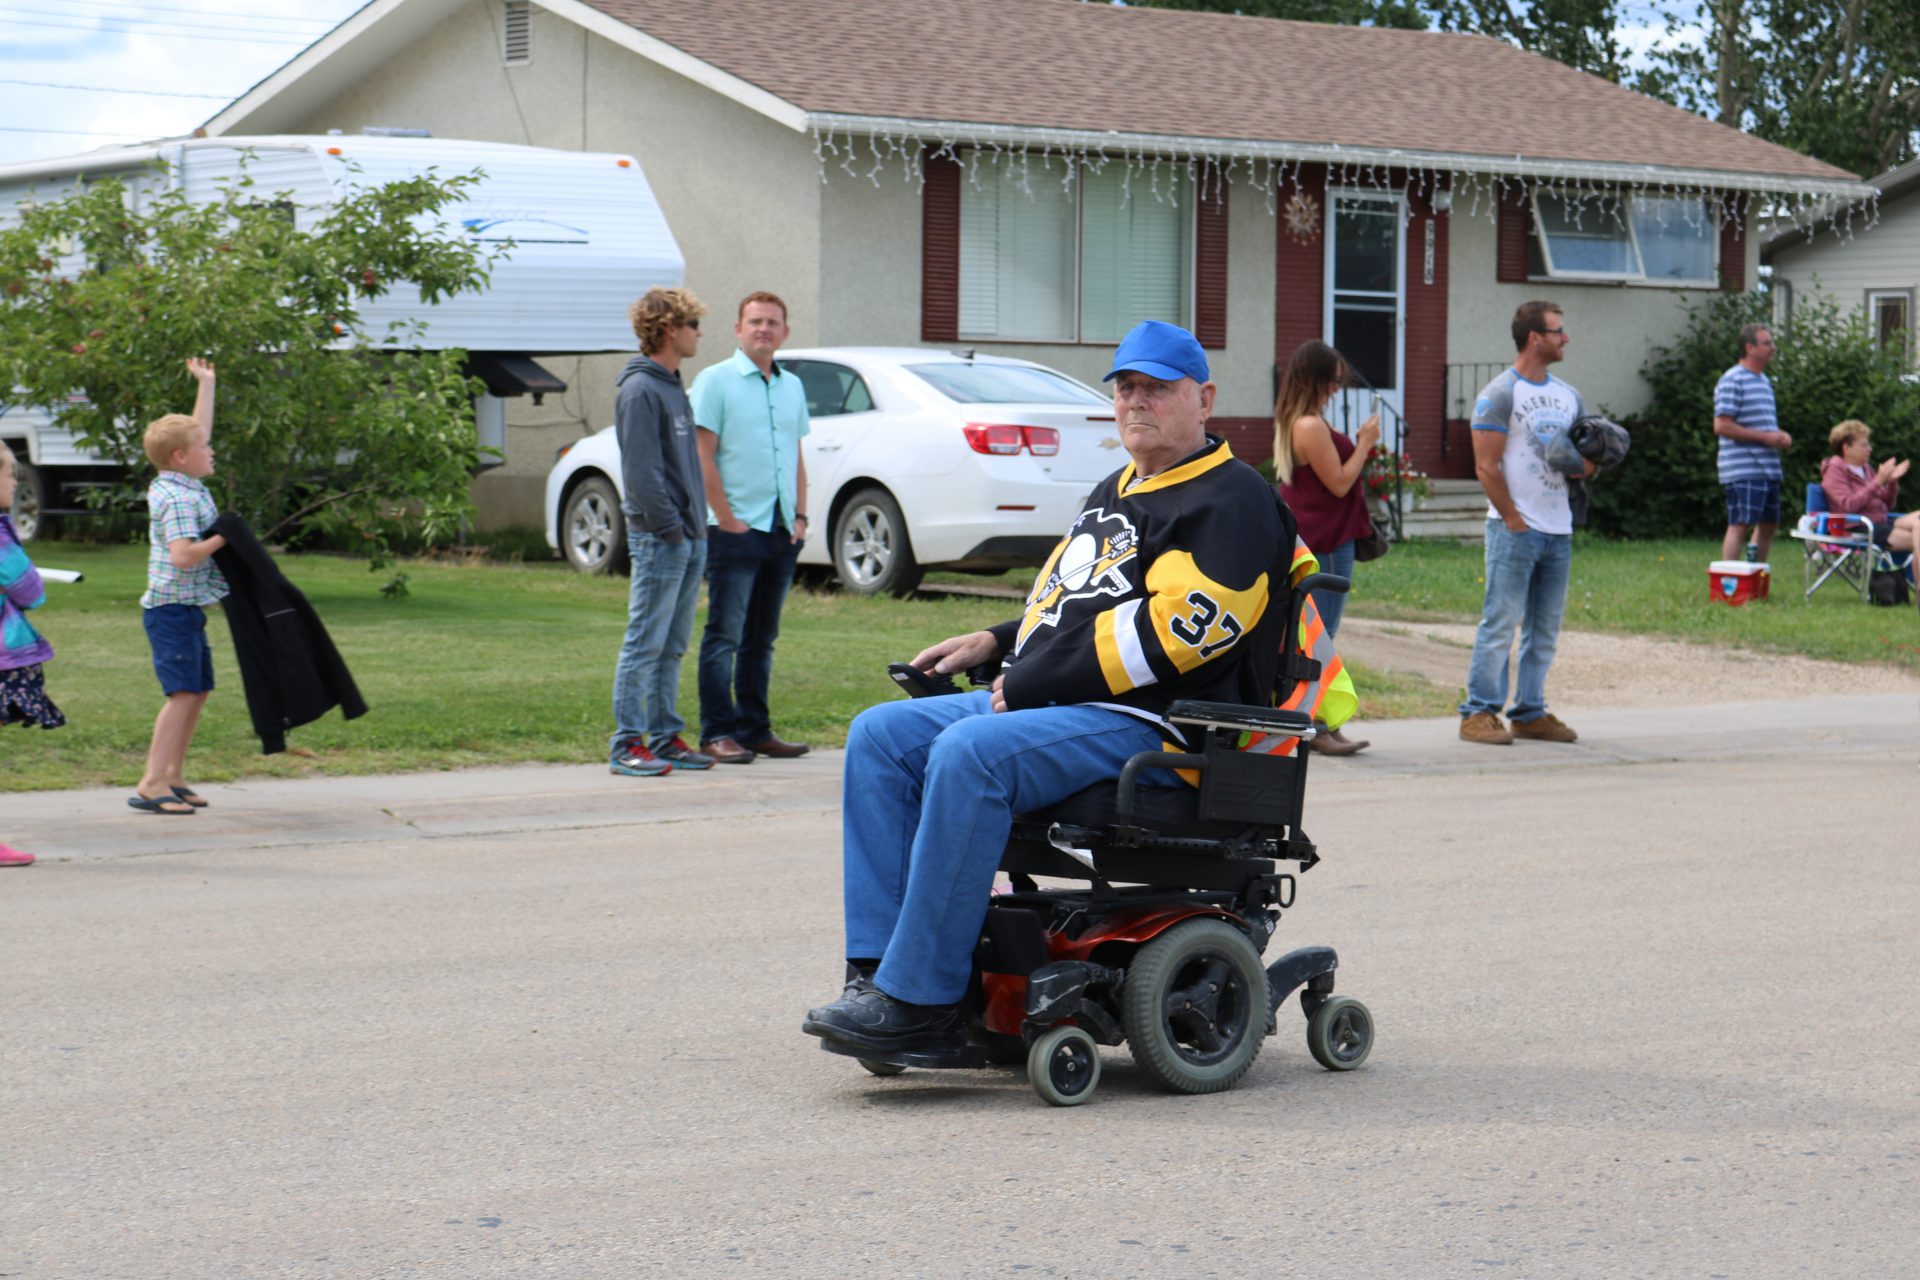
(502, 663)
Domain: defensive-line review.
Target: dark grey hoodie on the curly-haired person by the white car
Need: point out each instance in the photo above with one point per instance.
(660, 452)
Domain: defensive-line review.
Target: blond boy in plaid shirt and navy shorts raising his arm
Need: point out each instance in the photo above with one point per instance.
(181, 582)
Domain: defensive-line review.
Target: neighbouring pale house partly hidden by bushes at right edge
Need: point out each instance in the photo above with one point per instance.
(1867, 266)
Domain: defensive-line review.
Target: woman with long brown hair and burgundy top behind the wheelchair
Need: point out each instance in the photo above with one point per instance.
(1318, 471)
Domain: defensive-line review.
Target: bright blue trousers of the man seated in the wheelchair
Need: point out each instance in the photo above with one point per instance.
(932, 788)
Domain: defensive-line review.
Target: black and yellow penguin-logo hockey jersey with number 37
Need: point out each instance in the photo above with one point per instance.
(1157, 594)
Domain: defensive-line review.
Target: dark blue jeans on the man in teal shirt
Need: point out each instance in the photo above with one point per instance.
(748, 579)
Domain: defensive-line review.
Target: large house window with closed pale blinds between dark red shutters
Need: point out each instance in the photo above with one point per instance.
(1053, 260)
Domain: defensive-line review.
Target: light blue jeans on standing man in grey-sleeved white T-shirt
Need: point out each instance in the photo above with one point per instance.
(1527, 590)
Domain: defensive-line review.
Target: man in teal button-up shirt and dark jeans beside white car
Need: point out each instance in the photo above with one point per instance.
(752, 419)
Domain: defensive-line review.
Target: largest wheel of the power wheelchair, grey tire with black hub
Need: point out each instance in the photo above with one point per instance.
(1195, 1007)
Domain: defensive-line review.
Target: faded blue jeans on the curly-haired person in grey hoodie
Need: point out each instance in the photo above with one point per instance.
(660, 623)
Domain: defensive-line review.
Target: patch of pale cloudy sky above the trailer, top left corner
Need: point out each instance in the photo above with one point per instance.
(189, 59)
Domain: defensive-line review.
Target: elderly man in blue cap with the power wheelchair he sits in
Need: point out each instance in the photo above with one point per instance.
(1149, 653)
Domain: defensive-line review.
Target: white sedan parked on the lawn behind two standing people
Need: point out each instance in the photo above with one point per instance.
(917, 460)
